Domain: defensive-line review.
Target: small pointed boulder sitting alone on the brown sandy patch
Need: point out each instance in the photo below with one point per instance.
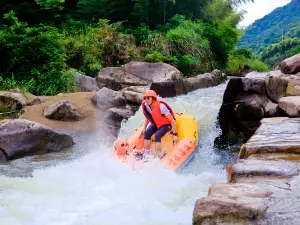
(62, 110)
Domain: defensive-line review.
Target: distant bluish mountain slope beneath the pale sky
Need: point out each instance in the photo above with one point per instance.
(272, 27)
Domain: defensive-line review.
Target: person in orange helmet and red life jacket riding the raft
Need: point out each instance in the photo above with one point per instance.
(161, 118)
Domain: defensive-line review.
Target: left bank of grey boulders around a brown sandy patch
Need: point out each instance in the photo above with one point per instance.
(100, 103)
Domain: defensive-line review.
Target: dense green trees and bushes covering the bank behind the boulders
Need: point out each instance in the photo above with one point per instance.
(42, 42)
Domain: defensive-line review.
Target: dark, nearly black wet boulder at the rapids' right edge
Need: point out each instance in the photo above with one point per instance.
(244, 103)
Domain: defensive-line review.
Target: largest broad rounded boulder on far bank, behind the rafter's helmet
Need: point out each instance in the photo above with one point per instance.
(141, 74)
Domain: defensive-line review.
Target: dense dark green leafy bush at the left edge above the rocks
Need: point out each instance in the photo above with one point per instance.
(33, 53)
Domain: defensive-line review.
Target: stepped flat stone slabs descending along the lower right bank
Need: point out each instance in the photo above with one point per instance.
(266, 174)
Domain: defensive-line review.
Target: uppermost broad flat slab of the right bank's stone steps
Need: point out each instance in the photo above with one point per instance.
(275, 135)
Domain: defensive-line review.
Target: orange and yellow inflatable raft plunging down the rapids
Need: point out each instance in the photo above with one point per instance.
(178, 154)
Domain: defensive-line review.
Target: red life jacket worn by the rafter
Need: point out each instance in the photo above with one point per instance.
(157, 119)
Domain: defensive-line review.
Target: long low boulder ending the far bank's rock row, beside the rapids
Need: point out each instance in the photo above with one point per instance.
(203, 80)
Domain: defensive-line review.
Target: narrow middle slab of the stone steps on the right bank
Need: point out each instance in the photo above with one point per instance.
(262, 168)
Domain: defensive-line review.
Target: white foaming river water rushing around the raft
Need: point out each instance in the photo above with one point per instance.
(72, 188)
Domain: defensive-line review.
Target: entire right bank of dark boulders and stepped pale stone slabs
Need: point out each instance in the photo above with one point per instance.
(263, 184)
